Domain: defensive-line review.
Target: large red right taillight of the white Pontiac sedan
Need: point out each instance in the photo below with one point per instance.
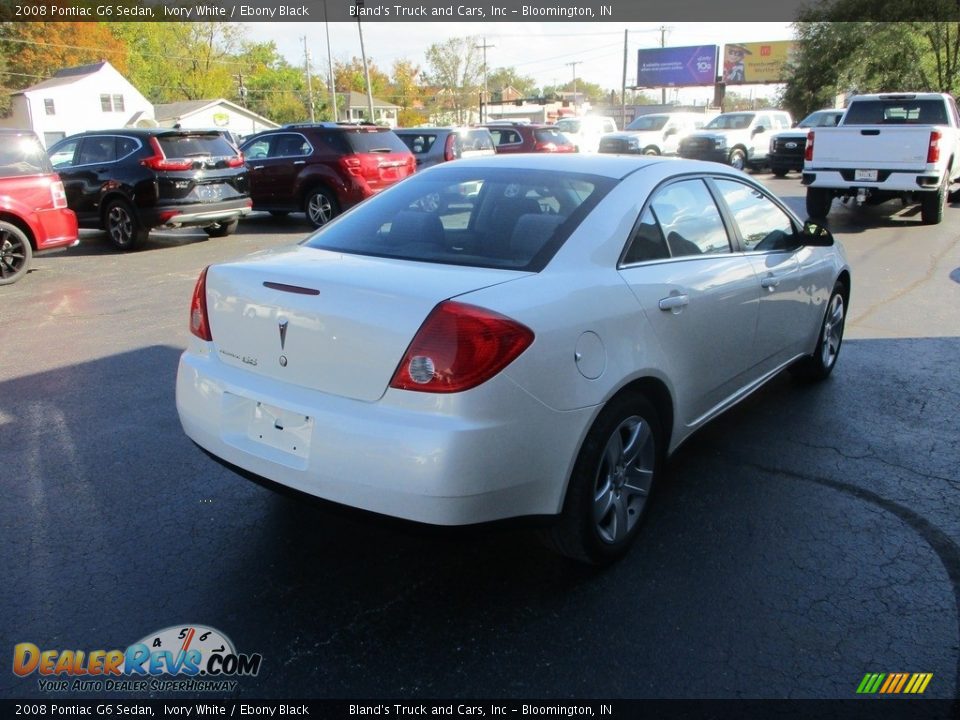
(459, 347)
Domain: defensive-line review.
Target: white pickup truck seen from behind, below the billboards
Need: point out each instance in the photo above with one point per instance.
(890, 145)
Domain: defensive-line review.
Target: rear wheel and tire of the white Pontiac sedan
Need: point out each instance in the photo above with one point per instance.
(605, 501)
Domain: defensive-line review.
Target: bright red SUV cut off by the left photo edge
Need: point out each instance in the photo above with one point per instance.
(33, 204)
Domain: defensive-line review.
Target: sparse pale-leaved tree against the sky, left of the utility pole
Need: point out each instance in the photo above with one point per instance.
(455, 71)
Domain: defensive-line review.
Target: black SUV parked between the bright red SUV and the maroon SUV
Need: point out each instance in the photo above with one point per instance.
(128, 181)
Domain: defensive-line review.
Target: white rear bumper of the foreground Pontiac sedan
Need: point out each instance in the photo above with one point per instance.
(489, 453)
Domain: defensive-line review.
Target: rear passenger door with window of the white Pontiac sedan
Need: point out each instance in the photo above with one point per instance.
(699, 297)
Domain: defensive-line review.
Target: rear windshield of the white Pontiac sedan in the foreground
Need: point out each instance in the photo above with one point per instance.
(505, 218)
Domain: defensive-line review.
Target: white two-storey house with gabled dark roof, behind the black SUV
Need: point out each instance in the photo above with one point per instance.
(88, 97)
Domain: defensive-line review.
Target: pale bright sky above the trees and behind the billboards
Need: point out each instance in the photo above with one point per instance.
(540, 50)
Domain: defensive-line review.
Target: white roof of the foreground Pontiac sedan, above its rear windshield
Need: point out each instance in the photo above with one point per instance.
(612, 166)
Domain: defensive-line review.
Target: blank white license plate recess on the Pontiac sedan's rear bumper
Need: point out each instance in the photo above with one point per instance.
(265, 430)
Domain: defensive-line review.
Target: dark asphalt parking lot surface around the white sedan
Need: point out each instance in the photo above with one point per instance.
(809, 536)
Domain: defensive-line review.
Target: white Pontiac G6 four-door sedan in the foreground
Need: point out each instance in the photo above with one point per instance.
(537, 347)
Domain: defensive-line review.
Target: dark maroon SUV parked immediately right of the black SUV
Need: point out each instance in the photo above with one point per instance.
(322, 169)
